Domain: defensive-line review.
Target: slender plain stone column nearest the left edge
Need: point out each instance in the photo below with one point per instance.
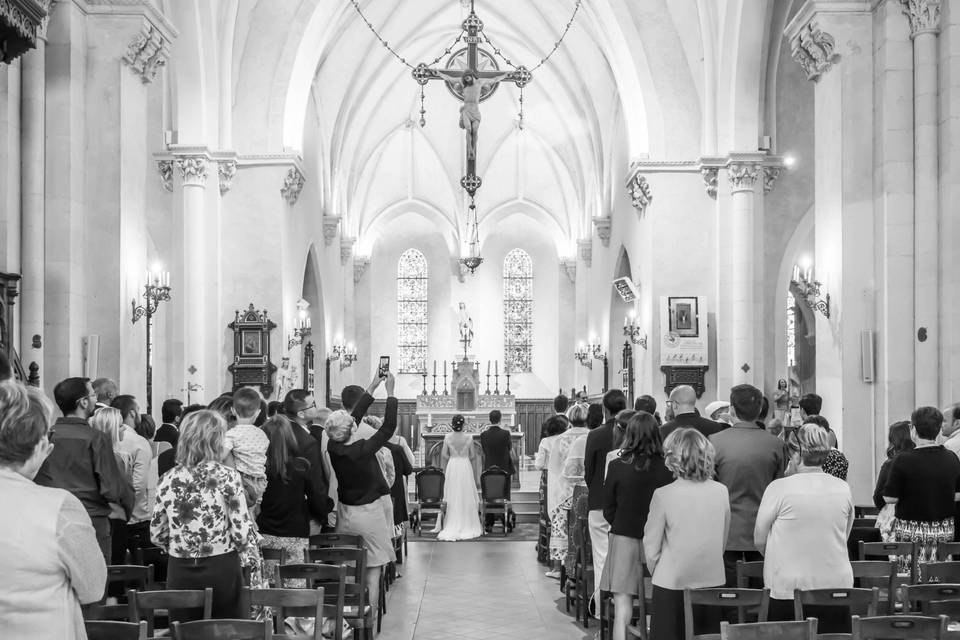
(32, 212)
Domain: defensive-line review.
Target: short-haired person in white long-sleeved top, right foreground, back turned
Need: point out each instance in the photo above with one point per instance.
(802, 527)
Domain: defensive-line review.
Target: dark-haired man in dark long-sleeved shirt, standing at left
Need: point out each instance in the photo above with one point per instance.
(83, 462)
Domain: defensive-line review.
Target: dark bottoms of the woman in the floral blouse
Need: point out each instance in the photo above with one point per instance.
(222, 573)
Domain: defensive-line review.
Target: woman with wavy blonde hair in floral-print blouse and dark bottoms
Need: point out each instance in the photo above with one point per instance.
(201, 519)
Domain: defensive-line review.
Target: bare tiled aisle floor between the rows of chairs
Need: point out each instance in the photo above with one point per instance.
(476, 591)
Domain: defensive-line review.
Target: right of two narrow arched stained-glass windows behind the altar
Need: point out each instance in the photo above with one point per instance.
(518, 311)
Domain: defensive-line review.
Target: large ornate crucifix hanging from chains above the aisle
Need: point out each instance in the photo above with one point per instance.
(471, 75)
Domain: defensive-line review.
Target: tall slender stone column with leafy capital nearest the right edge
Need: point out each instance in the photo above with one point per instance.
(924, 18)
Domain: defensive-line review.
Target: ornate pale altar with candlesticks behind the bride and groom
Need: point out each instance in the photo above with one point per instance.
(435, 410)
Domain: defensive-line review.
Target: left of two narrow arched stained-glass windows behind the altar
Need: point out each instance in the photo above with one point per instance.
(412, 312)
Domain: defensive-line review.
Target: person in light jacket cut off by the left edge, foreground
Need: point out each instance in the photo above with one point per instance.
(50, 557)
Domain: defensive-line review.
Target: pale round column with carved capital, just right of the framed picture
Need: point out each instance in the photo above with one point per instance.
(742, 175)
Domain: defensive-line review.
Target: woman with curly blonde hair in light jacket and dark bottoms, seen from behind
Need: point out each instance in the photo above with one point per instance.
(685, 535)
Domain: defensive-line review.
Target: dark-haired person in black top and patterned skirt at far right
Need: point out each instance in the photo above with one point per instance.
(923, 484)
